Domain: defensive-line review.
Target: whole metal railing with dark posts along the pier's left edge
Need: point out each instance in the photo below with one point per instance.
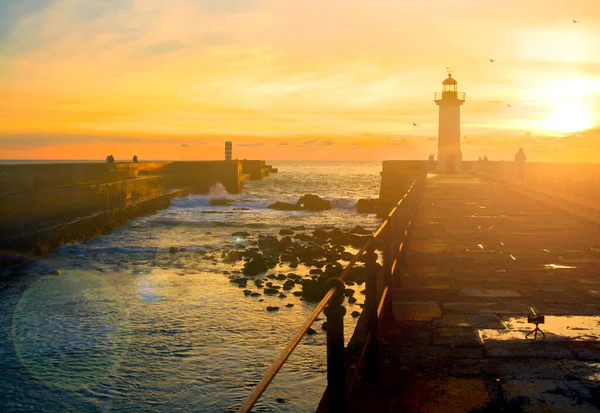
(393, 241)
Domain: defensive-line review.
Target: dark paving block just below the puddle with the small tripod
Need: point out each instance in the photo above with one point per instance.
(529, 349)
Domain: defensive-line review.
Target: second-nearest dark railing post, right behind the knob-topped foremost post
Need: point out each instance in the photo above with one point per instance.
(372, 370)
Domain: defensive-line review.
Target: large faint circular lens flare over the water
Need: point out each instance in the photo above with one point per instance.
(70, 331)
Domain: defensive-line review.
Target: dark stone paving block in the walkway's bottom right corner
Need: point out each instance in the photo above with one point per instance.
(545, 396)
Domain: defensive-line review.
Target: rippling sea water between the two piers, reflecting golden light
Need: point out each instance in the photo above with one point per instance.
(130, 327)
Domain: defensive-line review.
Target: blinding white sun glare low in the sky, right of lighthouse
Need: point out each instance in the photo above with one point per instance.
(568, 116)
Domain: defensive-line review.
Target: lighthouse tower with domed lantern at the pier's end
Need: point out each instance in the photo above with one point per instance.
(449, 101)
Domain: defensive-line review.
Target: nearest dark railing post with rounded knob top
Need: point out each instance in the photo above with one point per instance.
(336, 371)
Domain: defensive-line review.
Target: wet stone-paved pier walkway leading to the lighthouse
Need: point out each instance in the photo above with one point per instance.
(481, 256)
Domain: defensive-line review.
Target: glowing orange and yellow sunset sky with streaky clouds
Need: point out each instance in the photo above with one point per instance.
(296, 79)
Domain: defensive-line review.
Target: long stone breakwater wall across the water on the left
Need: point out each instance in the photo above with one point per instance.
(43, 198)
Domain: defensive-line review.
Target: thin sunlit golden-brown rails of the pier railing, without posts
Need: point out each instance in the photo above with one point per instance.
(280, 361)
